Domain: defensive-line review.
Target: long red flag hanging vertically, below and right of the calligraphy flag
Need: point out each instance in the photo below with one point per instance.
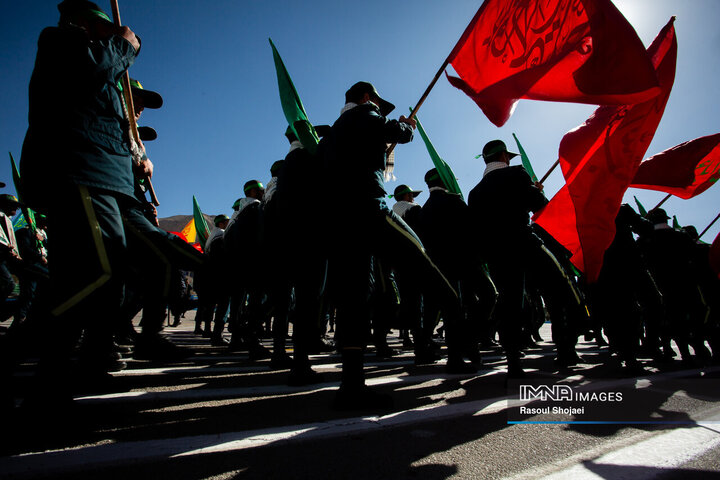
(599, 160)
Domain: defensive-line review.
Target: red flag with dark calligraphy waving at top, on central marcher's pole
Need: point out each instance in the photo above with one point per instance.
(580, 51)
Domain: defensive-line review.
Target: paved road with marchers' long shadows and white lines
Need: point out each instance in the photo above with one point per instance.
(220, 416)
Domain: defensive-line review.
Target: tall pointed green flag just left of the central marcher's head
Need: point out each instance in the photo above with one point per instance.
(293, 107)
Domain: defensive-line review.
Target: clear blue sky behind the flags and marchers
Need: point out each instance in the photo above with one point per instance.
(222, 123)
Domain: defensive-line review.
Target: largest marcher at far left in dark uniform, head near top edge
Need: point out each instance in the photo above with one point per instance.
(77, 163)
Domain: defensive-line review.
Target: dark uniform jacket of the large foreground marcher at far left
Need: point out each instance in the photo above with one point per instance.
(77, 130)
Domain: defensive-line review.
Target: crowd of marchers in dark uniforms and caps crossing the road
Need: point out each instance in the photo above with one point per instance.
(477, 271)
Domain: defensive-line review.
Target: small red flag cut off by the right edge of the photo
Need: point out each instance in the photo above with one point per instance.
(685, 170)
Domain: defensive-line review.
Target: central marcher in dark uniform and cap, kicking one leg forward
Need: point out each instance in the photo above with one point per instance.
(363, 227)
